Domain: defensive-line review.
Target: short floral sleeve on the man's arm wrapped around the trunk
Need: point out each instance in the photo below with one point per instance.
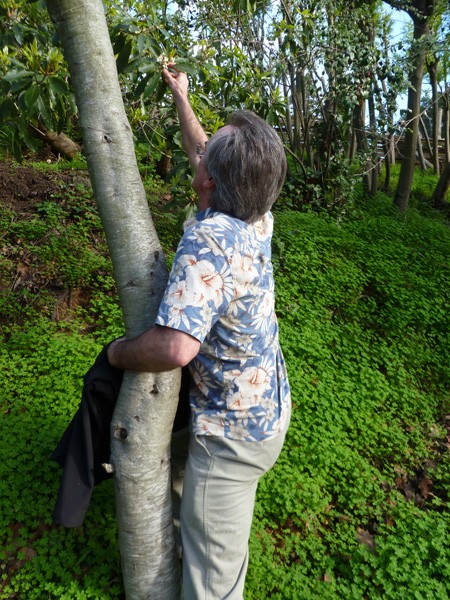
(200, 285)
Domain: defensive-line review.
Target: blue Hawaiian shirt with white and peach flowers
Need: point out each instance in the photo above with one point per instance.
(221, 291)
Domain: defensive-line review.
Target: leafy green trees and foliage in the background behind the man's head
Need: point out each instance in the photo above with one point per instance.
(310, 67)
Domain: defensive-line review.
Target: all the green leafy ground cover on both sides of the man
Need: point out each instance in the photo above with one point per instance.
(357, 505)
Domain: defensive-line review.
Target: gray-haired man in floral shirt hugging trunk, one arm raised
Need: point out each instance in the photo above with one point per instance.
(217, 315)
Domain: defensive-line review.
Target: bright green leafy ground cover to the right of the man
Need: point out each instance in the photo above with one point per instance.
(357, 506)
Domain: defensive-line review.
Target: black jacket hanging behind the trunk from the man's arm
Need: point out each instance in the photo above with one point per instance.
(85, 445)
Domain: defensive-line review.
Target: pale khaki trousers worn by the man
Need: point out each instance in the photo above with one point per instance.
(221, 478)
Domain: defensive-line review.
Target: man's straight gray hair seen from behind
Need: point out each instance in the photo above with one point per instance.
(248, 166)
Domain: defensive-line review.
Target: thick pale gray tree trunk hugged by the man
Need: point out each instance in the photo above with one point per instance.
(142, 422)
